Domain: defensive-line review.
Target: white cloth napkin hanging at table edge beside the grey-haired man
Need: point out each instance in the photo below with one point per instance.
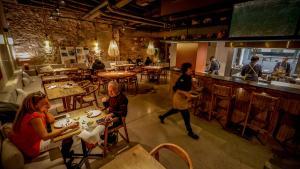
(92, 137)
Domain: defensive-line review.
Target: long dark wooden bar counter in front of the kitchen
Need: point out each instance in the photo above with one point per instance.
(288, 94)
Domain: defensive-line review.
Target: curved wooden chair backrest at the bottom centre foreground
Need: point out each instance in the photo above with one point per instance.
(174, 148)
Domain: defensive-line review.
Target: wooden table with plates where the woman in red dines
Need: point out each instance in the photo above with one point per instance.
(80, 113)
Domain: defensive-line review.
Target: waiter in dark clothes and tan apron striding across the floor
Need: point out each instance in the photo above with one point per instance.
(181, 98)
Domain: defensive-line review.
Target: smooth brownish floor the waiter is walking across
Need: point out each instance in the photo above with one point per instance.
(216, 148)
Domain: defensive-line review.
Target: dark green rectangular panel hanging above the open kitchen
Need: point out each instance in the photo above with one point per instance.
(265, 18)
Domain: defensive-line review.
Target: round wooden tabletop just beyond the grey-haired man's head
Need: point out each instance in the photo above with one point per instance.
(115, 75)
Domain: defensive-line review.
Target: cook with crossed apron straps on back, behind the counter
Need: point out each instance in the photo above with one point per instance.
(252, 70)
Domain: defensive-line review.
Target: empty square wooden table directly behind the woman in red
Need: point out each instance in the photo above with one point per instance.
(64, 93)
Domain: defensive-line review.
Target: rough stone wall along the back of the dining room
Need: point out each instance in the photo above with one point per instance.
(29, 25)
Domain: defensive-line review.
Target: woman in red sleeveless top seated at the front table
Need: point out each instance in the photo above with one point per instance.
(29, 130)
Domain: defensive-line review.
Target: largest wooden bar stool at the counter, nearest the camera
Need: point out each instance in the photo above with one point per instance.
(262, 114)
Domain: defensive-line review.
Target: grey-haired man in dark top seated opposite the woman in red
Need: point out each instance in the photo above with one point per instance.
(116, 104)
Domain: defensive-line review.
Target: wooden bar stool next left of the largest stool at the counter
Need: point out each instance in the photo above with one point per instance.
(221, 99)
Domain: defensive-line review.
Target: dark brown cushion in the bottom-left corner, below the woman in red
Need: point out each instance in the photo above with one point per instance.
(11, 156)
